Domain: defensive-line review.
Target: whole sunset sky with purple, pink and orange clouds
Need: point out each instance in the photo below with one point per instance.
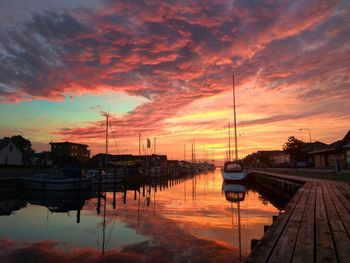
(164, 69)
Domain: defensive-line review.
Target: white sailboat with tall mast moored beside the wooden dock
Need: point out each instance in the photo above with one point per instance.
(234, 170)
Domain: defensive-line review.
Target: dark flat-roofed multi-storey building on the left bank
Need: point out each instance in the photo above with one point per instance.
(70, 150)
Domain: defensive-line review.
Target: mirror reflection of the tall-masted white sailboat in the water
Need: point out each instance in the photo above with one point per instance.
(235, 193)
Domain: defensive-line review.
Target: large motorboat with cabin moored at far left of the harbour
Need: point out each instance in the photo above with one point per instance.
(57, 180)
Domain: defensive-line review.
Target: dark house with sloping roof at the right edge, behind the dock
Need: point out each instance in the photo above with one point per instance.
(336, 152)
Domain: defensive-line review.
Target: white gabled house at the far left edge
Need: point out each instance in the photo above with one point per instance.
(10, 154)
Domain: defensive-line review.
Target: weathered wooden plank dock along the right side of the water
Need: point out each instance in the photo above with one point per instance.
(314, 227)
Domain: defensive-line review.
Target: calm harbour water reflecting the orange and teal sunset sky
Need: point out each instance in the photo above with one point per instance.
(190, 220)
